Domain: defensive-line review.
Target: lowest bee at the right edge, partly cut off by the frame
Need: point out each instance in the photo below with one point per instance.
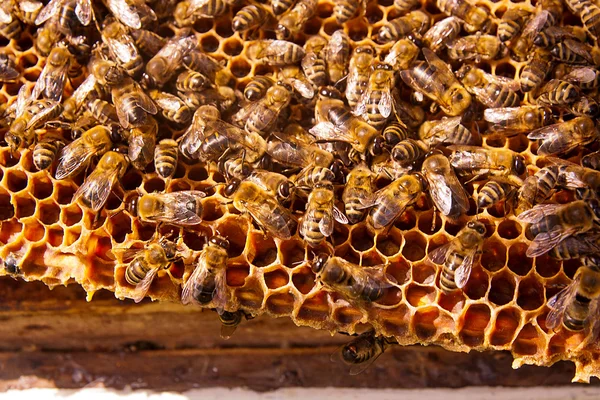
(576, 306)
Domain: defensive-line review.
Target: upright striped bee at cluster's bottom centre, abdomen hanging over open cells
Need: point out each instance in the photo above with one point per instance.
(318, 221)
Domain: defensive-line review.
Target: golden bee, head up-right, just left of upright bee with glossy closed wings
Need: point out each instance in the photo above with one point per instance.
(389, 203)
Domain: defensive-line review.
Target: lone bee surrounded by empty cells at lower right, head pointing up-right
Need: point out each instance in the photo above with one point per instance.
(458, 256)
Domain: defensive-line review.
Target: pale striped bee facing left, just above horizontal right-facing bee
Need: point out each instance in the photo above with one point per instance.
(445, 131)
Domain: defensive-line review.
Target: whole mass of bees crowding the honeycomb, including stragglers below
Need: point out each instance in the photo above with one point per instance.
(409, 110)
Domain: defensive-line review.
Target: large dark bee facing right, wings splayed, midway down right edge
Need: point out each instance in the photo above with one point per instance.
(552, 223)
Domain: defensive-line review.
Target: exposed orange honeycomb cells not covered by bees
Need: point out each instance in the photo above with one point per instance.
(502, 307)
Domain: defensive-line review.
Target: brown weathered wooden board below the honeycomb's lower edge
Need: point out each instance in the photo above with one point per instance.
(55, 338)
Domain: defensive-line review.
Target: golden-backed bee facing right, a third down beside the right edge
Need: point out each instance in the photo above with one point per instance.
(565, 136)
